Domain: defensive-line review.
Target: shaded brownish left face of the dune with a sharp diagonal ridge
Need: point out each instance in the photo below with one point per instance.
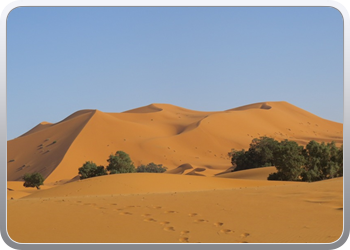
(43, 148)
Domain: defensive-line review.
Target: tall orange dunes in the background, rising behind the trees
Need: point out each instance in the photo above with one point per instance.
(160, 133)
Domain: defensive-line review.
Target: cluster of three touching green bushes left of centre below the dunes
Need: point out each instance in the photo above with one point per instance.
(119, 163)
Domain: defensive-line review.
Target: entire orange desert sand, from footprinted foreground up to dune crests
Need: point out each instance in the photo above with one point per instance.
(196, 200)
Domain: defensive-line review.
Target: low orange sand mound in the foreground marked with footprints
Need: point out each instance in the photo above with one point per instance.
(163, 208)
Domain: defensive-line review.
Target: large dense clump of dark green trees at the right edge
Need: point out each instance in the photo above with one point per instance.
(314, 162)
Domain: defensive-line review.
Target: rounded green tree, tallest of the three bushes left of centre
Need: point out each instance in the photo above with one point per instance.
(120, 163)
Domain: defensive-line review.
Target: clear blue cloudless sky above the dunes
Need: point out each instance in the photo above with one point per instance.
(64, 59)
